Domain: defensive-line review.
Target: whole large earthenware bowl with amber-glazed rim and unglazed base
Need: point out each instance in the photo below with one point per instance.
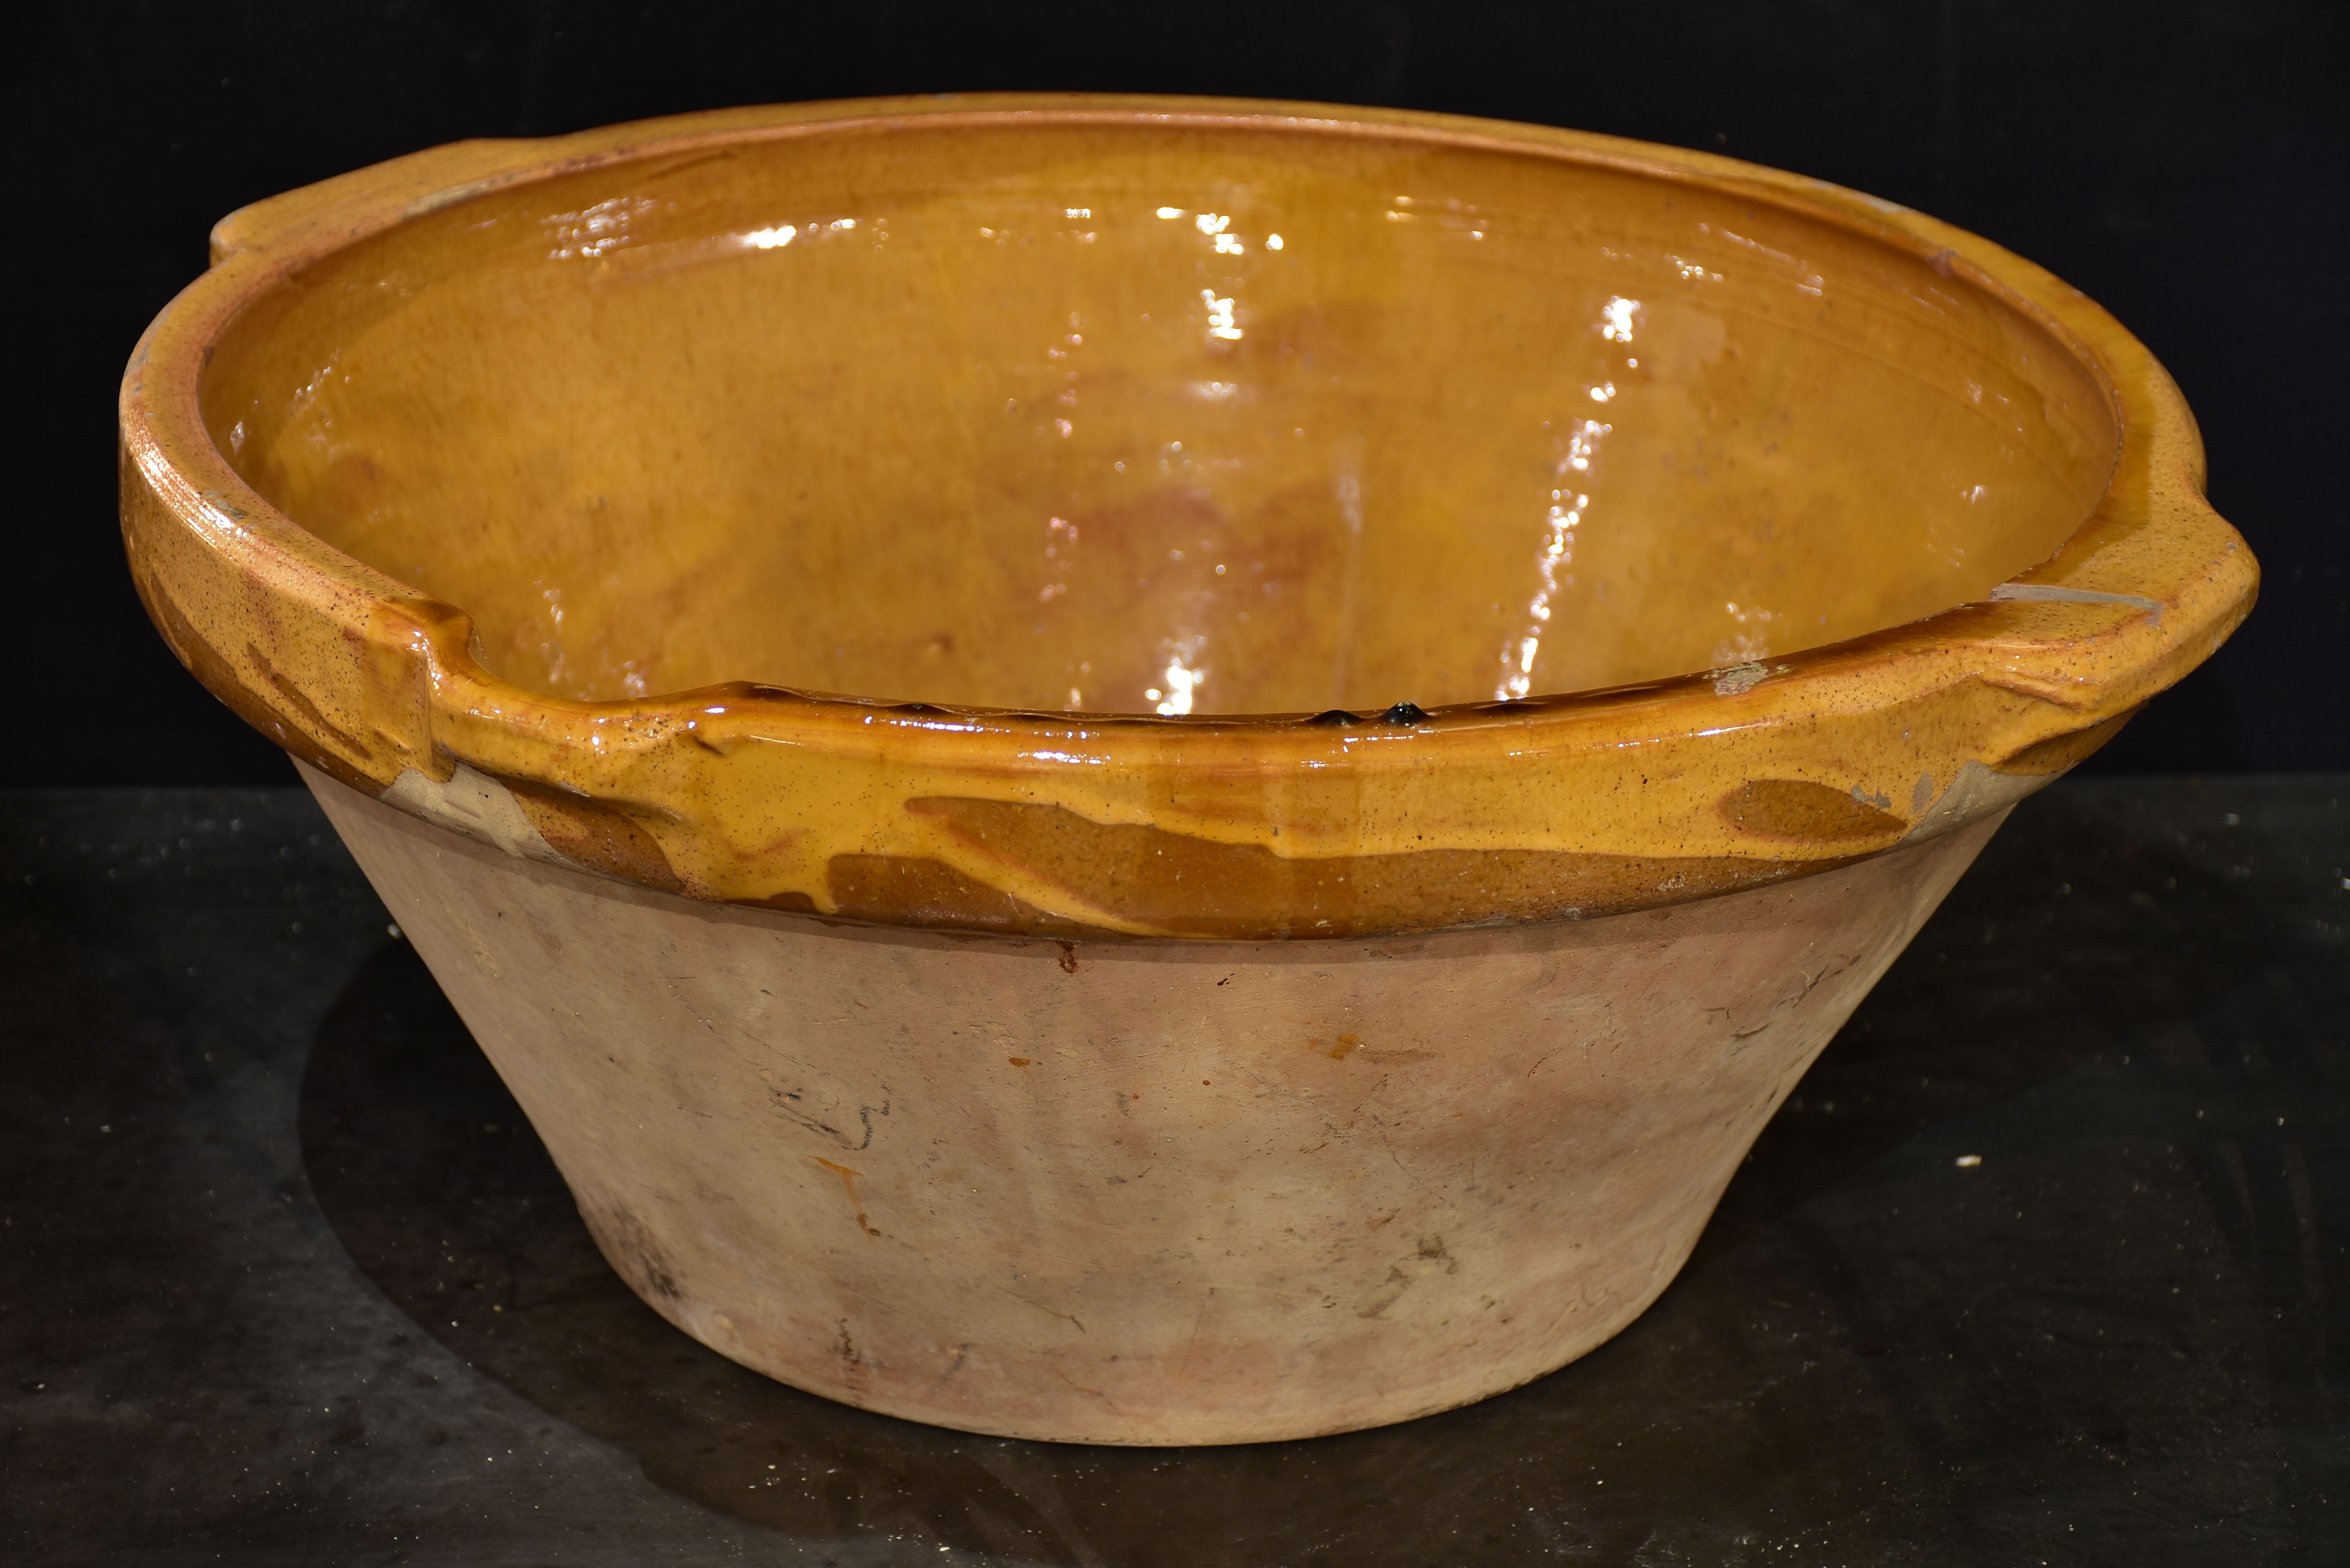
(1155, 772)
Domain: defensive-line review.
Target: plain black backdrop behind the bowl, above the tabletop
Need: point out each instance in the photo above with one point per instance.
(2187, 163)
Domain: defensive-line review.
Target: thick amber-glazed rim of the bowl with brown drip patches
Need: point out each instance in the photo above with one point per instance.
(1202, 826)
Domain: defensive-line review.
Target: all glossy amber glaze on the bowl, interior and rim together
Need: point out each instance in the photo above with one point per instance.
(1019, 406)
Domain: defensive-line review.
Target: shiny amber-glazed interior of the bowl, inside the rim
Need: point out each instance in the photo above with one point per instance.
(1153, 417)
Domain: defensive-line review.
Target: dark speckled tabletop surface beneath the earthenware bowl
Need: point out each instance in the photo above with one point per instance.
(286, 1278)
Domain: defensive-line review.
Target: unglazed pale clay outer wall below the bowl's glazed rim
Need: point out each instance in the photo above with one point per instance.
(1141, 1193)
